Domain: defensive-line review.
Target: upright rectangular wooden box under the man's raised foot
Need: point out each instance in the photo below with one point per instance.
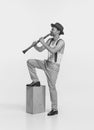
(35, 99)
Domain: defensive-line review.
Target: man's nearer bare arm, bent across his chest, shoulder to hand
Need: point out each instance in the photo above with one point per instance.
(56, 48)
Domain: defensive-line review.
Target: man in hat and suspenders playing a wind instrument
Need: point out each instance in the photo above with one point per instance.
(51, 66)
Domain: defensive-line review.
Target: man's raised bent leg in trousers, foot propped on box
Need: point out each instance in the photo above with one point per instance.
(32, 64)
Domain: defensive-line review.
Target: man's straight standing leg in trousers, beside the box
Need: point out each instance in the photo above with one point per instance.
(52, 73)
